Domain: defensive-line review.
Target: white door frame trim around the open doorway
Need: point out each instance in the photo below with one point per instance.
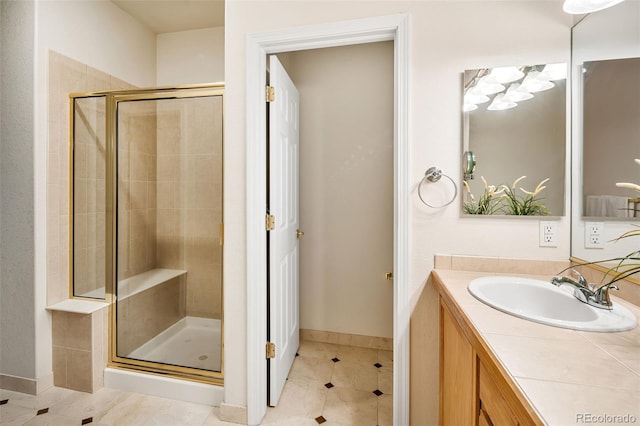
(343, 33)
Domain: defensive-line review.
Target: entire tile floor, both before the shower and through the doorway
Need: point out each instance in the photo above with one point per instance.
(328, 384)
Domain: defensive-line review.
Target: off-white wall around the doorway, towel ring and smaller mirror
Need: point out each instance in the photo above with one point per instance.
(445, 38)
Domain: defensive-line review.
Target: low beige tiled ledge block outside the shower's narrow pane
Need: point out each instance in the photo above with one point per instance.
(80, 344)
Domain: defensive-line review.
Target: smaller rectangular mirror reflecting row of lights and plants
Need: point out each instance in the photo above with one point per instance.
(514, 130)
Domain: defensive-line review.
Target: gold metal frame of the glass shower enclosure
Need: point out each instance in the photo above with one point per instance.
(113, 97)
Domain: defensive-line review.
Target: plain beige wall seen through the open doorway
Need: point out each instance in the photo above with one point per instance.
(346, 187)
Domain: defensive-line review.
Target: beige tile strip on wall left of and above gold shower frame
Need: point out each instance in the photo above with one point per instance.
(65, 76)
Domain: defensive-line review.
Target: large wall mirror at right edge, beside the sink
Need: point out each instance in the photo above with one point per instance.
(605, 133)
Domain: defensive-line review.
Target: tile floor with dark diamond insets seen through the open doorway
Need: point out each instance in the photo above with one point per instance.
(336, 385)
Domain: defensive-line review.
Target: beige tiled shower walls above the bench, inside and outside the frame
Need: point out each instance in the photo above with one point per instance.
(170, 198)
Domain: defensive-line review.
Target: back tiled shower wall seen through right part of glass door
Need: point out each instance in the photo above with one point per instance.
(190, 198)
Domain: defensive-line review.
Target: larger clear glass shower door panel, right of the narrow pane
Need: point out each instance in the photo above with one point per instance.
(168, 261)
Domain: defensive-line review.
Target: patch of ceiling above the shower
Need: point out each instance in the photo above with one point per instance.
(167, 16)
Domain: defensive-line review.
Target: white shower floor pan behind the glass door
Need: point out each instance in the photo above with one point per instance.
(191, 342)
